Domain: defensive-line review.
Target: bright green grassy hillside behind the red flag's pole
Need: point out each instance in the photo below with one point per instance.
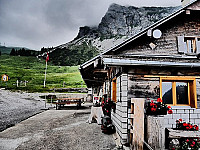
(32, 70)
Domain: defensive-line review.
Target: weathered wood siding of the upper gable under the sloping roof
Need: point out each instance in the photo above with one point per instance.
(183, 24)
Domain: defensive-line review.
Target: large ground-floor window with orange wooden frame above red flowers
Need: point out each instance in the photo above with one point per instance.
(178, 91)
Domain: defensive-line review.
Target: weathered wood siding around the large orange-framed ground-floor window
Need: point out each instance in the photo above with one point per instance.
(143, 87)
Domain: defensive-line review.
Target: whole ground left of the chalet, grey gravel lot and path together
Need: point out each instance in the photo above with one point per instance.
(50, 130)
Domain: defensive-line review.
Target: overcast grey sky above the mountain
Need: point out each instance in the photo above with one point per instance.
(46, 23)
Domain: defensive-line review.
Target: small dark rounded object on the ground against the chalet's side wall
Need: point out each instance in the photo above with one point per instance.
(107, 127)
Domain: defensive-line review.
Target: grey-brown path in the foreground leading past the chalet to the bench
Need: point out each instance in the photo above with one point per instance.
(56, 130)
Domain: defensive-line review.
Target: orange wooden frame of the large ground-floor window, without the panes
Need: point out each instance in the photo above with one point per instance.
(192, 95)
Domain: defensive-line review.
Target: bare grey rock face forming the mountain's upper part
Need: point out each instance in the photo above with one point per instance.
(125, 21)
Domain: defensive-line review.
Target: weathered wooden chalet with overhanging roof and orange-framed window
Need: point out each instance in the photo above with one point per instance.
(162, 61)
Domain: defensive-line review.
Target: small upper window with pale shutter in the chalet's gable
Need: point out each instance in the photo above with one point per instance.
(189, 44)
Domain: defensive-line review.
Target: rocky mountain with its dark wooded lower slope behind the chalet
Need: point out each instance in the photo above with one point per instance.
(118, 24)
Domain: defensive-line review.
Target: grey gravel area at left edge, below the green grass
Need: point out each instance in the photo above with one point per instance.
(17, 106)
